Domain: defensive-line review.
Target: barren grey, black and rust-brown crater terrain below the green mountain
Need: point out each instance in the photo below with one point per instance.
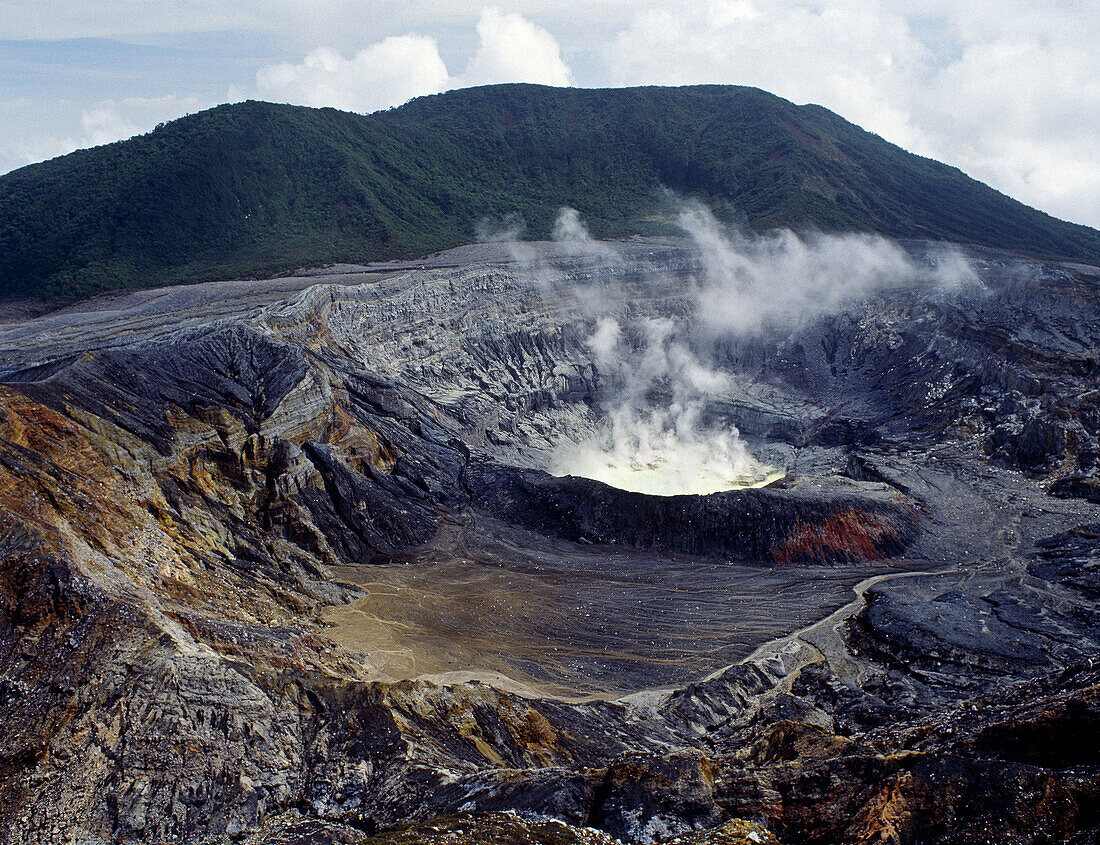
(262, 547)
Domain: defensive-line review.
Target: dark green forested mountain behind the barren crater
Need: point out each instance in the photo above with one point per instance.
(257, 189)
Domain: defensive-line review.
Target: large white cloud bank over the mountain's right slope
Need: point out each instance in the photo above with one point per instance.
(1009, 92)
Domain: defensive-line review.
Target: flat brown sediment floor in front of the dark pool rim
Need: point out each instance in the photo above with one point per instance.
(576, 629)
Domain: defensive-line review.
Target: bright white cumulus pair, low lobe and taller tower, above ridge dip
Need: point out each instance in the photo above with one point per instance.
(391, 72)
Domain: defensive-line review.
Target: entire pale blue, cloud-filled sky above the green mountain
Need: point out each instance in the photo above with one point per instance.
(1009, 92)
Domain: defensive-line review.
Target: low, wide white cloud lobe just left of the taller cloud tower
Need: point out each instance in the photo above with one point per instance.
(384, 74)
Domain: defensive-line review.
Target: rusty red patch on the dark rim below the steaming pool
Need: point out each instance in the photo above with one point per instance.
(849, 535)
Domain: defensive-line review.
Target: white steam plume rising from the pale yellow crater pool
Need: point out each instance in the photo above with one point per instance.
(659, 376)
